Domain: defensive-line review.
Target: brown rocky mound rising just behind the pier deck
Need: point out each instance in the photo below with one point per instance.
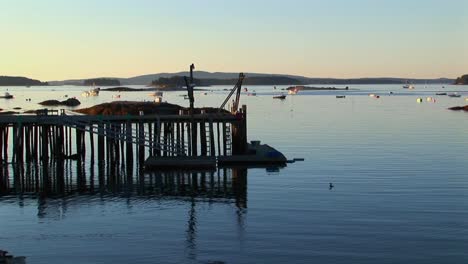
(134, 108)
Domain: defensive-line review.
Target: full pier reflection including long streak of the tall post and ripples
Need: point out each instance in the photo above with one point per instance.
(58, 185)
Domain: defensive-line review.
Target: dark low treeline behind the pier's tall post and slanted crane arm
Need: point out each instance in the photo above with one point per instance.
(178, 81)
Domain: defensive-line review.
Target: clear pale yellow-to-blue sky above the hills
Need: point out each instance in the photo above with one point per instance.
(62, 39)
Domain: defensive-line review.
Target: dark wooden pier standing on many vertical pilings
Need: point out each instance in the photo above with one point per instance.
(50, 135)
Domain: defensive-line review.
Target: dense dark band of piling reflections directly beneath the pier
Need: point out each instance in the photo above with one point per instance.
(69, 178)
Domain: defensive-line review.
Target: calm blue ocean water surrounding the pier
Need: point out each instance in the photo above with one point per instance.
(399, 170)
